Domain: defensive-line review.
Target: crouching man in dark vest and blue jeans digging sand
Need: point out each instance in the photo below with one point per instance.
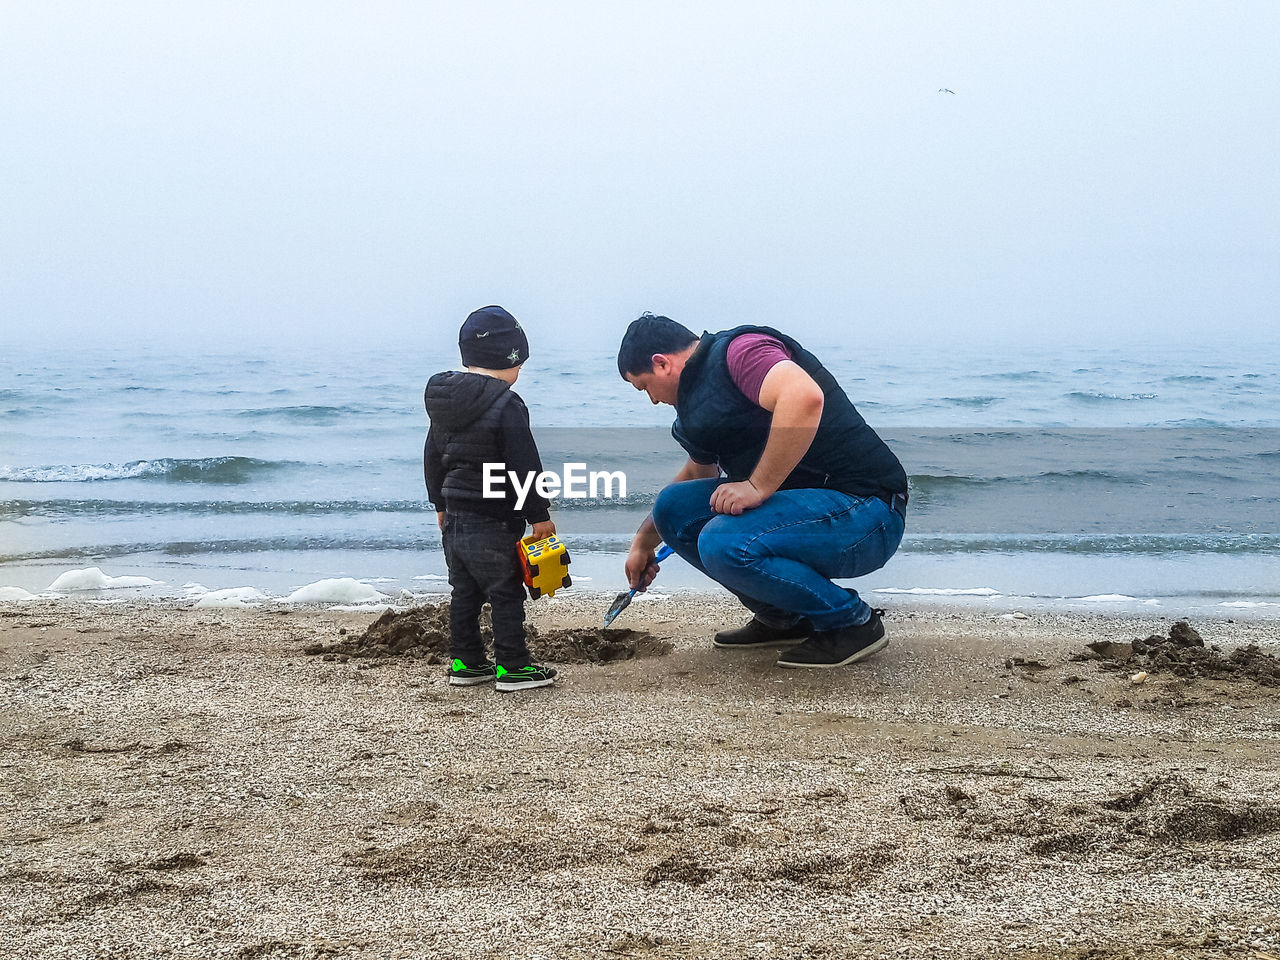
(787, 487)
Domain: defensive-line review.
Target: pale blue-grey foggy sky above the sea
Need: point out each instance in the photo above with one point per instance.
(243, 171)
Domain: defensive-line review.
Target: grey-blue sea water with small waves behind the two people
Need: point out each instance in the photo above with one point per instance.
(1089, 478)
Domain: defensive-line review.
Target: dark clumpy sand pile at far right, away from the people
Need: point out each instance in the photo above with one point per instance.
(1186, 656)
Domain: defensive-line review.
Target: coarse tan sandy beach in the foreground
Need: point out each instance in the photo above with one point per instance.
(240, 784)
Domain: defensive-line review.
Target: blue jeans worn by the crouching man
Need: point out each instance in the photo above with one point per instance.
(781, 557)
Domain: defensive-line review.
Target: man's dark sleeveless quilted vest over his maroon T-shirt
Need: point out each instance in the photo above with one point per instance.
(715, 419)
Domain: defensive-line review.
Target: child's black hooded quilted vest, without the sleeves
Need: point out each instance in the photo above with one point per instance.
(467, 417)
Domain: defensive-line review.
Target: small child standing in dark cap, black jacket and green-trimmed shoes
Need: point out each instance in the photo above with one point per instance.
(477, 419)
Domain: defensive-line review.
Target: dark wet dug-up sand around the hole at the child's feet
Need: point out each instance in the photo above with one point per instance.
(423, 633)
